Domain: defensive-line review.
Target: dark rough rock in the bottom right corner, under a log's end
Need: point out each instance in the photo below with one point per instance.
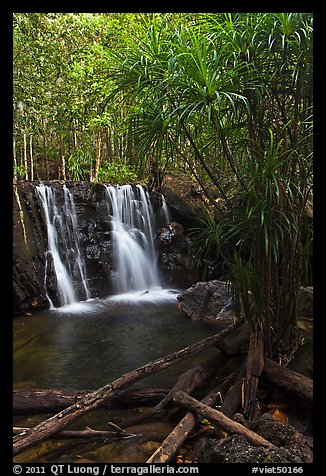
(291, 446)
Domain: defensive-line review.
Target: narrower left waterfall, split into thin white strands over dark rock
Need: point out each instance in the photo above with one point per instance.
(68, 266)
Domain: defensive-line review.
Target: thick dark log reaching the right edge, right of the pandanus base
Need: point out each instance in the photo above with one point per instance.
(290, 382)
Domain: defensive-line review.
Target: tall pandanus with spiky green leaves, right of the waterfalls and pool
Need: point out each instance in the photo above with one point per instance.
(230, 96)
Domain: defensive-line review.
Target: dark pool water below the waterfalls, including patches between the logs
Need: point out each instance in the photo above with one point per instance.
(88, 345)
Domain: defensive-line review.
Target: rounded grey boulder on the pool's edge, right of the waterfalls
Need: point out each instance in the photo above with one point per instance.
(207, 301)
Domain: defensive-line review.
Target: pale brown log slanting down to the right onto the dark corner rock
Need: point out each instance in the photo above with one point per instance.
(220, 420)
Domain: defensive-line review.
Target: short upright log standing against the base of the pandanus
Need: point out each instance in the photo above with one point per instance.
(254, 368)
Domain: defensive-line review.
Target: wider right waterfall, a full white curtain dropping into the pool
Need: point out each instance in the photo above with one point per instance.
(132, 220)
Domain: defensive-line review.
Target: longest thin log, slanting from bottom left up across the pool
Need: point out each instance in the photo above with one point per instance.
(93, 400)
